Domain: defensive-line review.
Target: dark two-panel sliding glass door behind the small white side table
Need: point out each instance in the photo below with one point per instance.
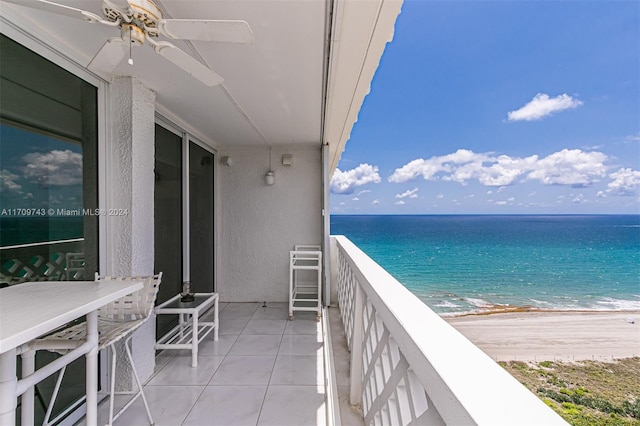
(184, 217)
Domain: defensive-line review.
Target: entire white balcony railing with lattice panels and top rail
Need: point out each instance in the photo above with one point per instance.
(409, 367)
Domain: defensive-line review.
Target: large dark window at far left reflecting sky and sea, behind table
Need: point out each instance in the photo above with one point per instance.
(48, 187)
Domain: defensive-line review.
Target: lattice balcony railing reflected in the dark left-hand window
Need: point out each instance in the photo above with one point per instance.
(47, 261)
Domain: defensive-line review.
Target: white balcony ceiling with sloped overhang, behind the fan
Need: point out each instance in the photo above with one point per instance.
(273, 91)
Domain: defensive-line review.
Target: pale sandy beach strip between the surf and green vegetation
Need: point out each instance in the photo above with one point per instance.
(562, 336)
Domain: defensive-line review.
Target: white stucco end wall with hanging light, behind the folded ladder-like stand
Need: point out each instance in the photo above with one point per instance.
(260, 224)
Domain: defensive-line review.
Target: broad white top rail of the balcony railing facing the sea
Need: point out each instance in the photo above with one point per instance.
(465, 384)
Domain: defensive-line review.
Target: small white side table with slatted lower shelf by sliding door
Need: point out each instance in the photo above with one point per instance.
(190, 331)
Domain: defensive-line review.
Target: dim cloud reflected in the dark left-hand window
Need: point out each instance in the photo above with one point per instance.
(54, 168)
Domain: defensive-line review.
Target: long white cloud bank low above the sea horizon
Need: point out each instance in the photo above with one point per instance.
(566, 167)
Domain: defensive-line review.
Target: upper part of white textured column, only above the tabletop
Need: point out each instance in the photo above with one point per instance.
(131, 178)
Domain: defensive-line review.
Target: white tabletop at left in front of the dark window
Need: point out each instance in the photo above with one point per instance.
(31, 309)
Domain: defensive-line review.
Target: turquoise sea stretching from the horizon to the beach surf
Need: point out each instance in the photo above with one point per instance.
(460, 264)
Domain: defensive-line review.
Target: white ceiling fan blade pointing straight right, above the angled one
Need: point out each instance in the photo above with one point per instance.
(207, 30)
